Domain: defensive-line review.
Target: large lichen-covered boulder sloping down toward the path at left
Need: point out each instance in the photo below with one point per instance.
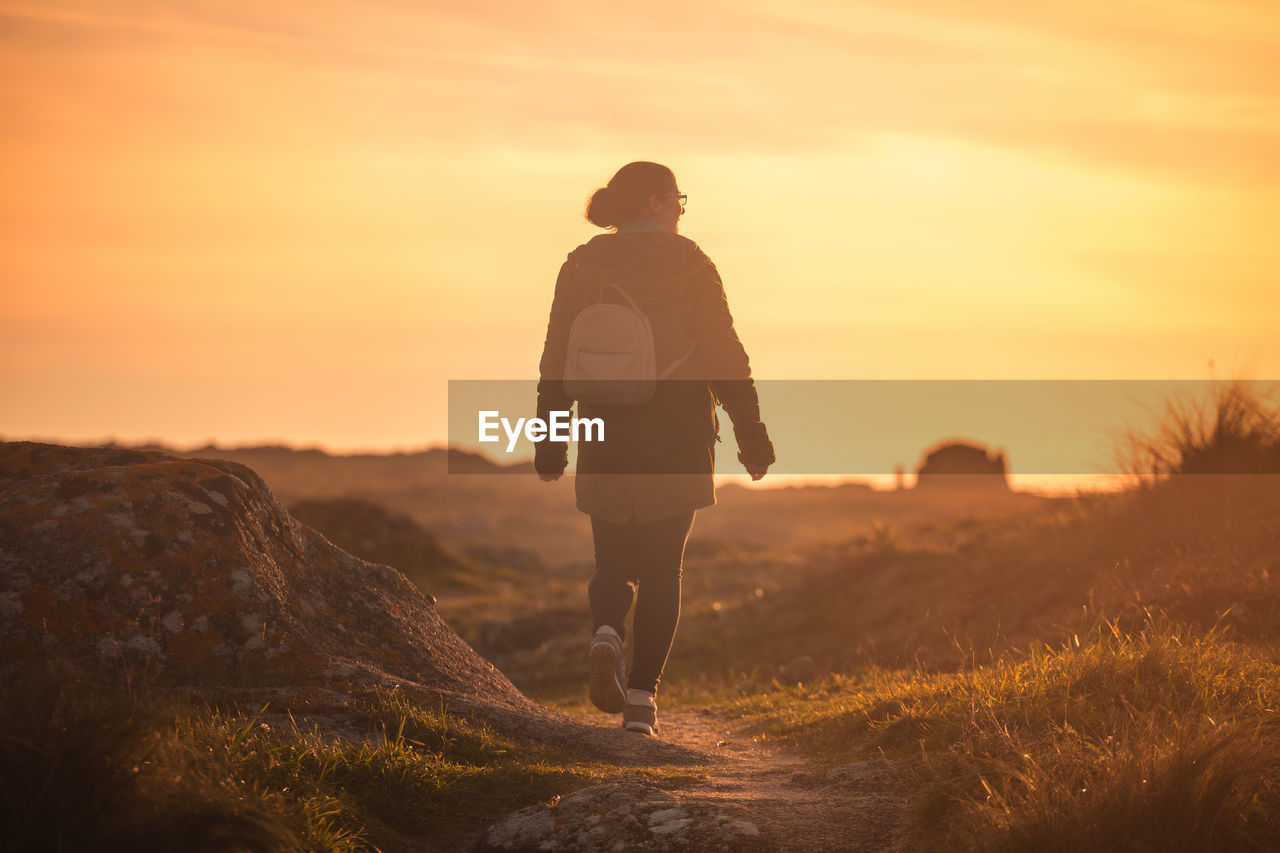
(191, 569)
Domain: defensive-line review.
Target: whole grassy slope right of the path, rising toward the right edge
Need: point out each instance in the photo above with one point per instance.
(1099, 682)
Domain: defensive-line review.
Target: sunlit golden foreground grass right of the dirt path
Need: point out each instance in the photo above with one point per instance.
(1156, 741)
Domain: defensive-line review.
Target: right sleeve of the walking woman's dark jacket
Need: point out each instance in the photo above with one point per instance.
(729, 371)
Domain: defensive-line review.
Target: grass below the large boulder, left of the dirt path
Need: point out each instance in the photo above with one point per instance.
(90, 765)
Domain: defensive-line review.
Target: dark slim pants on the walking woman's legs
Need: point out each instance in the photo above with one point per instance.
(641, 563)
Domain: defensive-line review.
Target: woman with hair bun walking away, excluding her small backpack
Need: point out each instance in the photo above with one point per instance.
(644, 483)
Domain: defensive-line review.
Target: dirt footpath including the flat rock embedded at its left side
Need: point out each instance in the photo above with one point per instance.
(755, 797)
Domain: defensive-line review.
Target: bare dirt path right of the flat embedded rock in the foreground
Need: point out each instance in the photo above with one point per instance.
(849, 809)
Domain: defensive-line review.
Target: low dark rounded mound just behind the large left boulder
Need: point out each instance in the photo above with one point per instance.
(372, 532)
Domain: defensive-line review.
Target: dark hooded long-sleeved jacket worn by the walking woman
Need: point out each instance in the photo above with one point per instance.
(657, 459)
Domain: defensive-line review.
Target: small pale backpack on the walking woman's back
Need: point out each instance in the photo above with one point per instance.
(611, 355)
